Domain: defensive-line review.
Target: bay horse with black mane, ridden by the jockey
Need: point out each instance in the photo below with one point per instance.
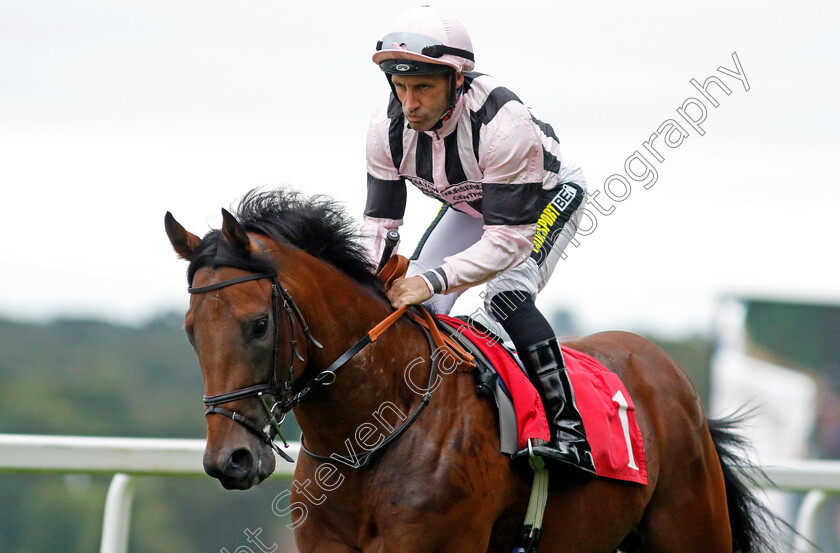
(283, 290)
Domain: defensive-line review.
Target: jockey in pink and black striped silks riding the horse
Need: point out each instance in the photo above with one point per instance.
(511, 200)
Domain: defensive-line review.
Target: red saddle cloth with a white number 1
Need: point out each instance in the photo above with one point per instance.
(605, 406)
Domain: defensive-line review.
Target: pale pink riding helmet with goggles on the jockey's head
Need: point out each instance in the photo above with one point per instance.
(428, 36)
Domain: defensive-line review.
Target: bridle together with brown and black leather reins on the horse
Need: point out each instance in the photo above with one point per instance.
(393, 270)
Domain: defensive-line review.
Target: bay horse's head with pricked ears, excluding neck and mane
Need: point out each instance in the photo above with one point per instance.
(232, 323)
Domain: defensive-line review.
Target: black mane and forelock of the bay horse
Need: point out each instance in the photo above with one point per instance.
(316, 224)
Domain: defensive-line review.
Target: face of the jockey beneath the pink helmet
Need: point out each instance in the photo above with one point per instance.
(424, 98)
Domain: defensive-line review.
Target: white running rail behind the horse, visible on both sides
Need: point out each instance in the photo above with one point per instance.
(131, 458)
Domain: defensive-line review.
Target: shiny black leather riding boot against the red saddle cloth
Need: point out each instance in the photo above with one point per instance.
(568, 444)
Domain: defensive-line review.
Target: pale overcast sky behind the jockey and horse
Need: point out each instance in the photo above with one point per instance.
(113, 112)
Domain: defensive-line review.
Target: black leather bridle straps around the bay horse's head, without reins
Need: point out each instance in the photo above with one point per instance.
(271, 386)
